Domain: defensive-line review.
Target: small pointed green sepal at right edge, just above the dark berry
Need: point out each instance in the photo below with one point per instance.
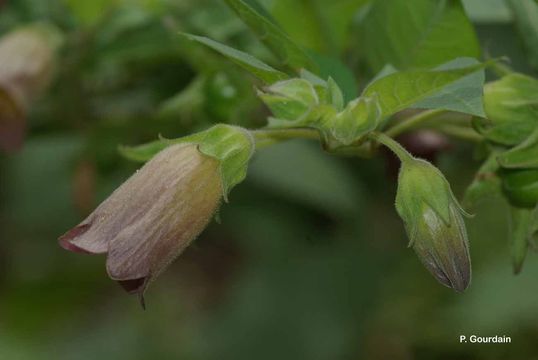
(523, 156)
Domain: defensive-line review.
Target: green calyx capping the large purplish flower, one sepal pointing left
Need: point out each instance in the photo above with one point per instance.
(232, 146)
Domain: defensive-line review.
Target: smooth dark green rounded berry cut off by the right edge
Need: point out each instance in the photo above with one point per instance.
(521, 187)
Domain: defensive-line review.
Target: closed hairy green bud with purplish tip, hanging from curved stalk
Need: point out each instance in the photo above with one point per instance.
(434, 223)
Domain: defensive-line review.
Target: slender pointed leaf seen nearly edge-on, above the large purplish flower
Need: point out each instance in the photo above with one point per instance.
(246, 61)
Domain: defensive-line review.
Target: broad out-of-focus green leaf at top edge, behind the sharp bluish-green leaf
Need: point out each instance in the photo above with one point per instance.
(421, 33)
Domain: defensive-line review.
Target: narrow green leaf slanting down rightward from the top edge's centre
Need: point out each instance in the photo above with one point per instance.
(273, 37)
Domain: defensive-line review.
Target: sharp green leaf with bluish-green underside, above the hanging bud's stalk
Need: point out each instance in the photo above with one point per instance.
(454, 86)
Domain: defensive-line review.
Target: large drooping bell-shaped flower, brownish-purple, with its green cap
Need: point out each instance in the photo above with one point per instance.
(152, 217)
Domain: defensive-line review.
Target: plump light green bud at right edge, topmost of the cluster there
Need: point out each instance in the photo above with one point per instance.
(511, 108)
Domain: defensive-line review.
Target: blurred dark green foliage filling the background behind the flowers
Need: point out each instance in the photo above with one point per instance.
(309, 260)
